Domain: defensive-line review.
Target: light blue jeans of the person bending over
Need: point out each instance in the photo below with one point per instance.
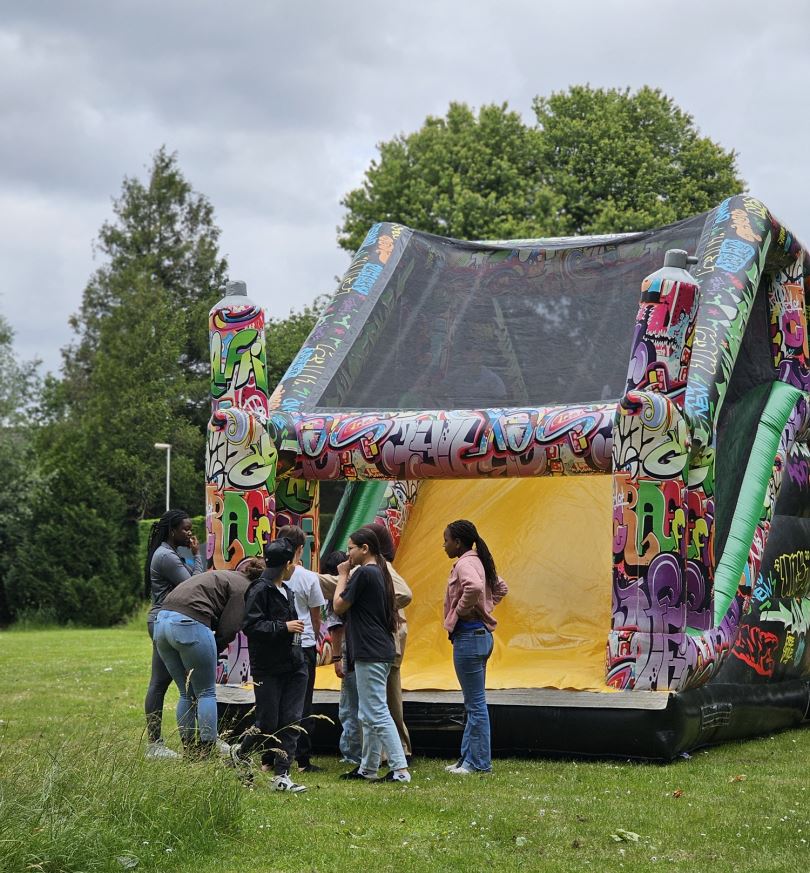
(189, 652)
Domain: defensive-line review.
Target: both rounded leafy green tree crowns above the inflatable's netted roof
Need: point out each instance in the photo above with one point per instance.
(597, 160)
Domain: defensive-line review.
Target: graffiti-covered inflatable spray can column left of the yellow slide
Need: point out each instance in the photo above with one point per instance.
(240, 461)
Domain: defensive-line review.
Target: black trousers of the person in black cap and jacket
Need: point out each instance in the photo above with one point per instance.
(279, 704)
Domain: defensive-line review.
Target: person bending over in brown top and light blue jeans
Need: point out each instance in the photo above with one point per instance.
(198, 619)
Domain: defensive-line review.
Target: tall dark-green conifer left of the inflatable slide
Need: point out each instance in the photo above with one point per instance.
(136, 374)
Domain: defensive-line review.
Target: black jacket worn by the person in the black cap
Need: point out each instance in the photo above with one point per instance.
(268, 608)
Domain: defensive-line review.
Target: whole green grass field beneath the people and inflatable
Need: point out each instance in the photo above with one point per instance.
(77, 795)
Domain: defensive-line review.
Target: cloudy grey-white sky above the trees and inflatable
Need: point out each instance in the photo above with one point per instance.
(275, 108)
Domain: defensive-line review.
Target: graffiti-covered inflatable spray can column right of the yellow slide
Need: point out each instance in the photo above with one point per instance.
(651, 499)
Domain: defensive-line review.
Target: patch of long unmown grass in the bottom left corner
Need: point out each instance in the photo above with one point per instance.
(93, 803)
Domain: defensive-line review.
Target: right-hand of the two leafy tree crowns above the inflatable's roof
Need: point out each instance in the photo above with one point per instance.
(623, 161)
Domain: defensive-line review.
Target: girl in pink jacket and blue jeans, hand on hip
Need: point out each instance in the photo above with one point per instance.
(473, 590)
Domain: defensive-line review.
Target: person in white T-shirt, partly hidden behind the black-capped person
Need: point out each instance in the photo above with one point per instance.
(308, 602)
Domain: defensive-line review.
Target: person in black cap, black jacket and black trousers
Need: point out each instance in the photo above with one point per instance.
(277, 663)
